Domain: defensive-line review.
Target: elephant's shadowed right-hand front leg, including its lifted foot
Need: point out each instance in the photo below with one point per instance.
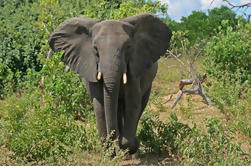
(128, 139)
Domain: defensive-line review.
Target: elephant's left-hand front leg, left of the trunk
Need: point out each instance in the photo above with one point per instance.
(95, 91)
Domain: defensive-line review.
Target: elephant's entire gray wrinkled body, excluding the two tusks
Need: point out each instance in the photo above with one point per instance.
(113, 47)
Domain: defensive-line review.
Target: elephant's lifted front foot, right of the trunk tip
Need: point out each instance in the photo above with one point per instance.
(131, 145)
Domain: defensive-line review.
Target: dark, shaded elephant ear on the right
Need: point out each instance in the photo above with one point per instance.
(150, 41)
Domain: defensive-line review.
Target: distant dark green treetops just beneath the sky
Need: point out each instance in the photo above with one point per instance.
(201, 26)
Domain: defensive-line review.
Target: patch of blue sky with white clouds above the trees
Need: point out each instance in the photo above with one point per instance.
(179, 8)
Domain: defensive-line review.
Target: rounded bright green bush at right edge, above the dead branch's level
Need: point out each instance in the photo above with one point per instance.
(230, 53)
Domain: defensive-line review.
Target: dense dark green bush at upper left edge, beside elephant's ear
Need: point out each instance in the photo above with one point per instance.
(19, 41)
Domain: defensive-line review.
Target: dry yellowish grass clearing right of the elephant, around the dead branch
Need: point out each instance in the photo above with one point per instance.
(191, 109)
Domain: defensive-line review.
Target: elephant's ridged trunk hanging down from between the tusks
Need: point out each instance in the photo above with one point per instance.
(111, 94)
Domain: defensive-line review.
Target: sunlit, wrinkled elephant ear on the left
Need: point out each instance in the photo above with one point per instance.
(74, 37)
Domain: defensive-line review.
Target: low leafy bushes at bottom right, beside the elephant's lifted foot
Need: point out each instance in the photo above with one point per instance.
(214, 146)
